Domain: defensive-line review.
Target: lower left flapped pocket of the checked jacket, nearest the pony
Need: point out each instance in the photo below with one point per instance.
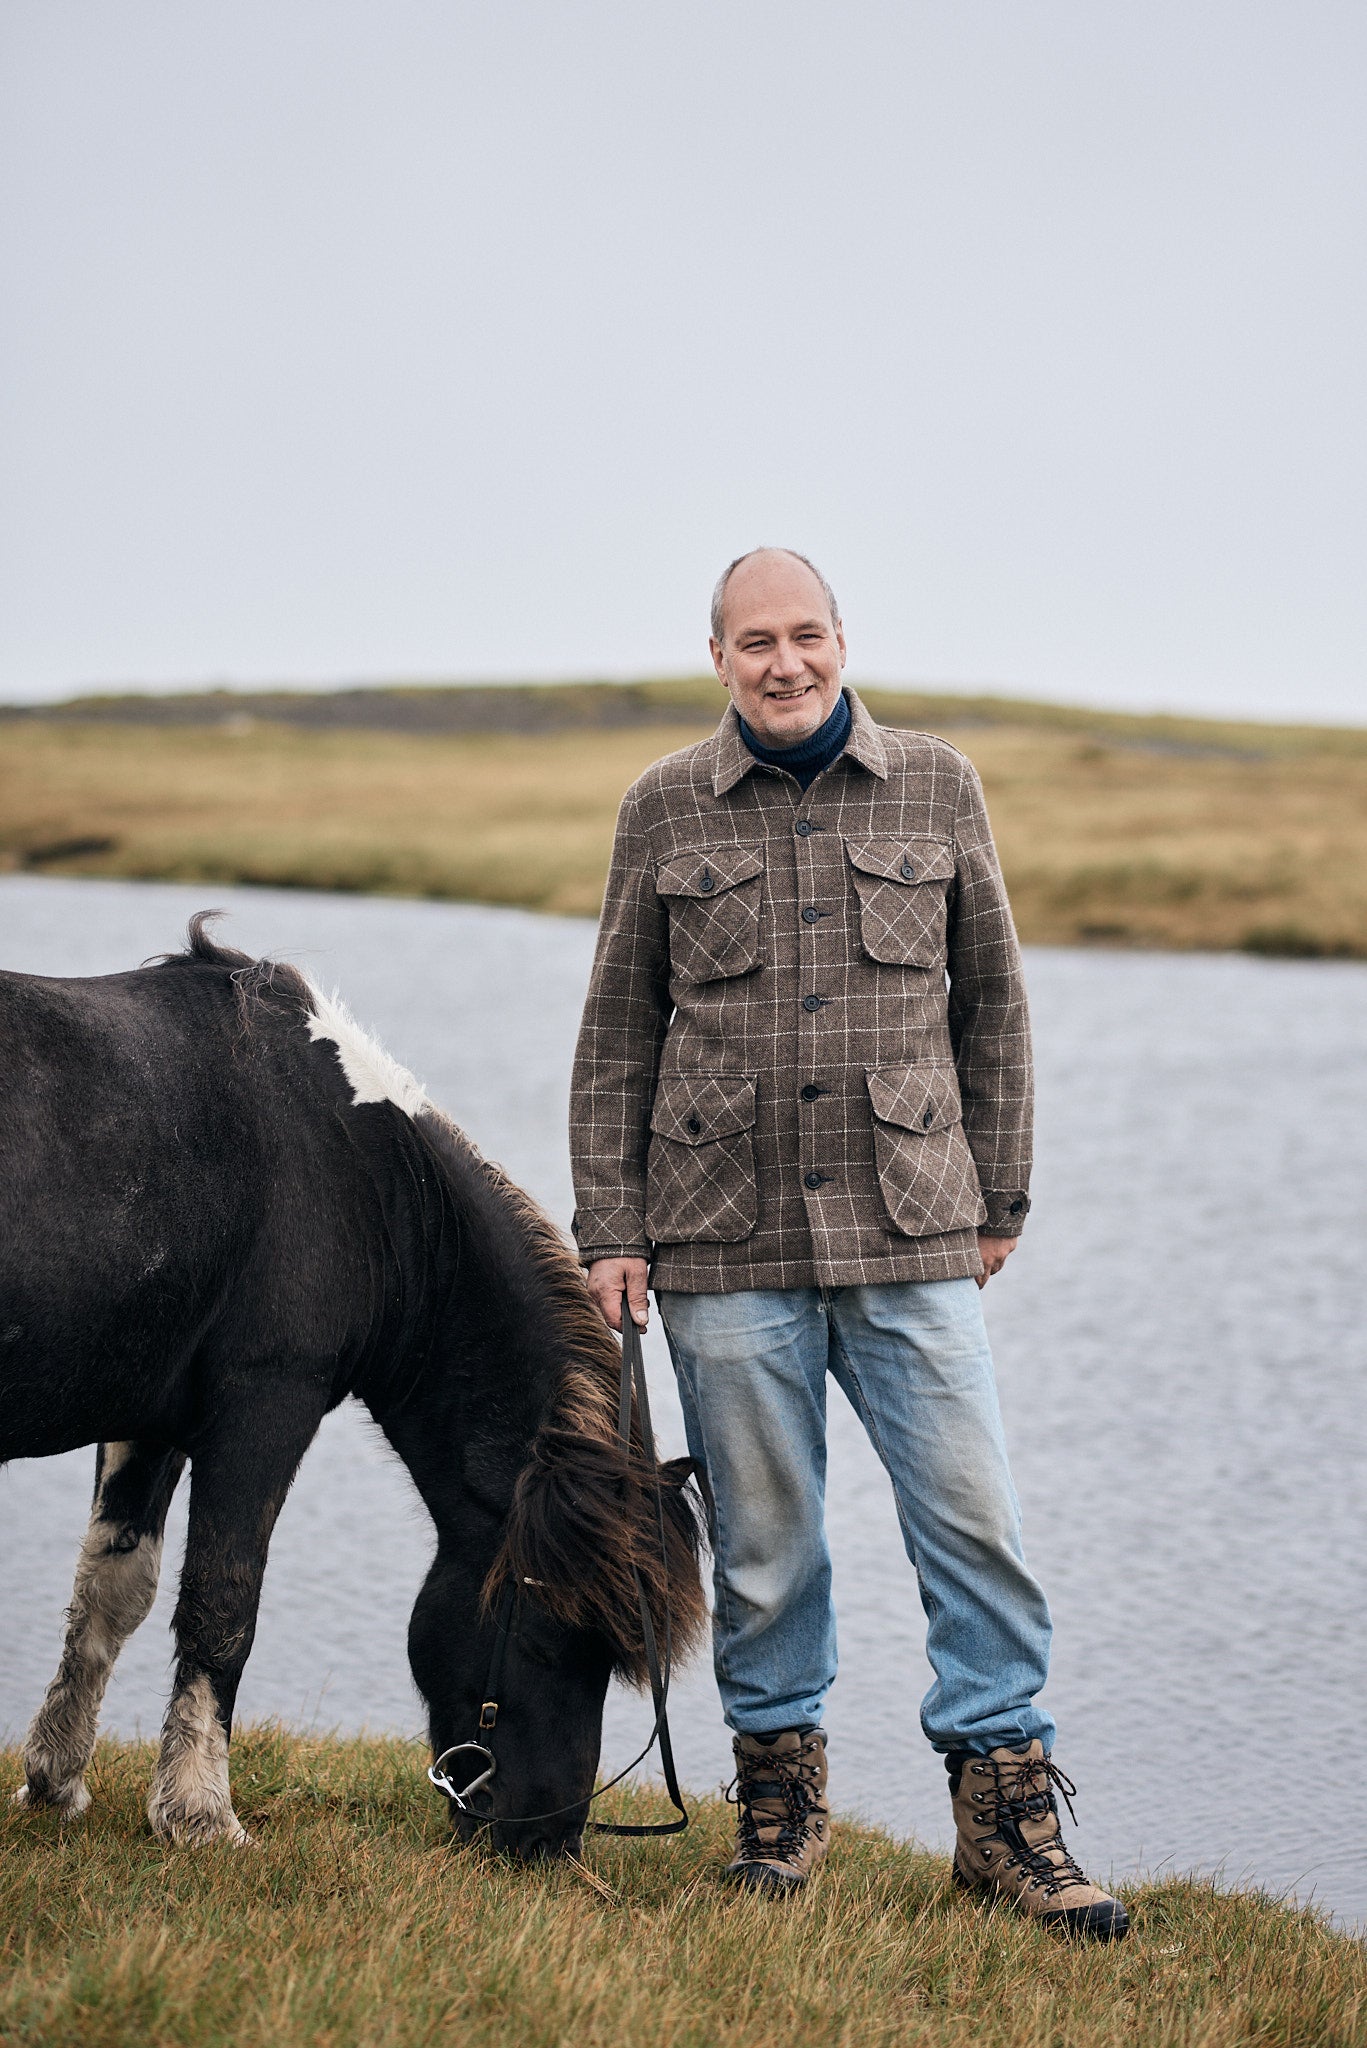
(700, 1170)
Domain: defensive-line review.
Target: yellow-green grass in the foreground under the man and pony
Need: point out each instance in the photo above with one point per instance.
(356, 1922)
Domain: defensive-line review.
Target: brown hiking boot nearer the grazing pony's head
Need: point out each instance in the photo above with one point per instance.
(782, 1814)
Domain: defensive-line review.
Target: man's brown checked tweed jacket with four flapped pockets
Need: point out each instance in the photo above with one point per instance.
(804, 1058)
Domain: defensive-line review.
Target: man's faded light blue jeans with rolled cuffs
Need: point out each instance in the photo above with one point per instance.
(917, 1367)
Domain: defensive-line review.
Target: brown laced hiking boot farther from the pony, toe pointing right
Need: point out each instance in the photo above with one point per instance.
(1011, 1844)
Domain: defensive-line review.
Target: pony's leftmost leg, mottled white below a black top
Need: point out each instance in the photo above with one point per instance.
(116, 1586)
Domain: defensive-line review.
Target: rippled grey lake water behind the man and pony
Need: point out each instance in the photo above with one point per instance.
(1182, 1349)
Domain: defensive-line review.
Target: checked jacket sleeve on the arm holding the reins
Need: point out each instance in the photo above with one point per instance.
(618, 1056)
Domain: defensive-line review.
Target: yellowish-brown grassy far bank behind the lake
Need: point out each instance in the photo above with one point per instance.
(1114, 830)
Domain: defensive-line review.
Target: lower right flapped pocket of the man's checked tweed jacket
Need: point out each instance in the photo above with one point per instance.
(925, 1166)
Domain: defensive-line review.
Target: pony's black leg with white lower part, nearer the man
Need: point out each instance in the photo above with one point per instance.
(239, 1486)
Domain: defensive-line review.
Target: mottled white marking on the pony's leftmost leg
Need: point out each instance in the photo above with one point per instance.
(112, 1596)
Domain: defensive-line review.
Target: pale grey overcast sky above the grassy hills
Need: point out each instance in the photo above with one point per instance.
(349, 341)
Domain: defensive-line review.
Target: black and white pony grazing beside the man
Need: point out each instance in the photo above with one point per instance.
(222, 1211)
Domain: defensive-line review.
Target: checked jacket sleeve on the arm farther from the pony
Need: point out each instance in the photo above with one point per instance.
(989, 1019)
